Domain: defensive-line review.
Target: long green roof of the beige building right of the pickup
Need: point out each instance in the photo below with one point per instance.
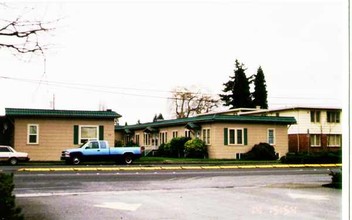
(213, 118)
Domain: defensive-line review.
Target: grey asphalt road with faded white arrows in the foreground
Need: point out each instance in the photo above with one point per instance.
(294, 193)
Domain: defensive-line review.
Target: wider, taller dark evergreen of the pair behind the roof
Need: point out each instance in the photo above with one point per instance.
(237, 94)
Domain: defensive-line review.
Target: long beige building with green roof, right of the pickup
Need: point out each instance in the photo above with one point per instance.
(227, 136)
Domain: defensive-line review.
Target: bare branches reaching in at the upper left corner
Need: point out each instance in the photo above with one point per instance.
(23, 36)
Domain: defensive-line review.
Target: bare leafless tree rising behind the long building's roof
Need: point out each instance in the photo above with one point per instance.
(187, 103)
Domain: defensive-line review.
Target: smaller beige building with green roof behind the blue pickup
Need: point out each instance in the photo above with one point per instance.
(43, 134)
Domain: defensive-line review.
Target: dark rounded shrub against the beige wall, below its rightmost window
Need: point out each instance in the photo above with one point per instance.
(261, 151)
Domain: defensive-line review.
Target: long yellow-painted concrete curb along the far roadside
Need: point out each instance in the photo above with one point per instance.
(207, 167)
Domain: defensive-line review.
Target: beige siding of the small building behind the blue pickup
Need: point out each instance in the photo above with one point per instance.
(55, 135)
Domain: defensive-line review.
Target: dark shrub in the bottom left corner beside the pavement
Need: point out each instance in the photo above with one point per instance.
(8, 209)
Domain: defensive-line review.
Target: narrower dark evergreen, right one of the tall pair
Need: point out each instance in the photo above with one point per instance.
(260, 94)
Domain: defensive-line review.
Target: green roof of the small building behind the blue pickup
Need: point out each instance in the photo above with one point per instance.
(48, 113)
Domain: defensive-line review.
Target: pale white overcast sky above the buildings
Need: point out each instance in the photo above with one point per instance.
(128, 55)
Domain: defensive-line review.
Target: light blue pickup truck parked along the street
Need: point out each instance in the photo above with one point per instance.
(95, 150)
